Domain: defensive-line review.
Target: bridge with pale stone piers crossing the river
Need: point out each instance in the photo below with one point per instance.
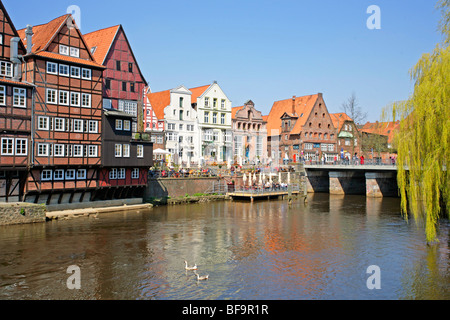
(371, 180)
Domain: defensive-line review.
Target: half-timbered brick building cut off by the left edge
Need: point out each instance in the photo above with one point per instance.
(15, 113)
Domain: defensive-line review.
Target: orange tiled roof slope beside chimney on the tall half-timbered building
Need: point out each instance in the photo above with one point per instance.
(44, 33)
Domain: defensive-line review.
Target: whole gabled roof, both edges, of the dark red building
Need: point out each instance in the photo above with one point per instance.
(103, 40)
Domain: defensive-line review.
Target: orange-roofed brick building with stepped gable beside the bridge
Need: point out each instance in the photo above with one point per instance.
(301, 128)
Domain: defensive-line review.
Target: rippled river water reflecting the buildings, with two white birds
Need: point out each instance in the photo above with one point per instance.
(262, 251)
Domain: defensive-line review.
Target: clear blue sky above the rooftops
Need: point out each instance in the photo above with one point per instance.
(265, 50)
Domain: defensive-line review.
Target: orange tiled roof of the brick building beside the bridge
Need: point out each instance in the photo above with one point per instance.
(302, 107)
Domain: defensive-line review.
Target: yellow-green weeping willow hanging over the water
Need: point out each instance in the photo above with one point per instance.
(424, 134)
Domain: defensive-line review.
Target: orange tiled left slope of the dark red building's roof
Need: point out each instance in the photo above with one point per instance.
(102, 40)
